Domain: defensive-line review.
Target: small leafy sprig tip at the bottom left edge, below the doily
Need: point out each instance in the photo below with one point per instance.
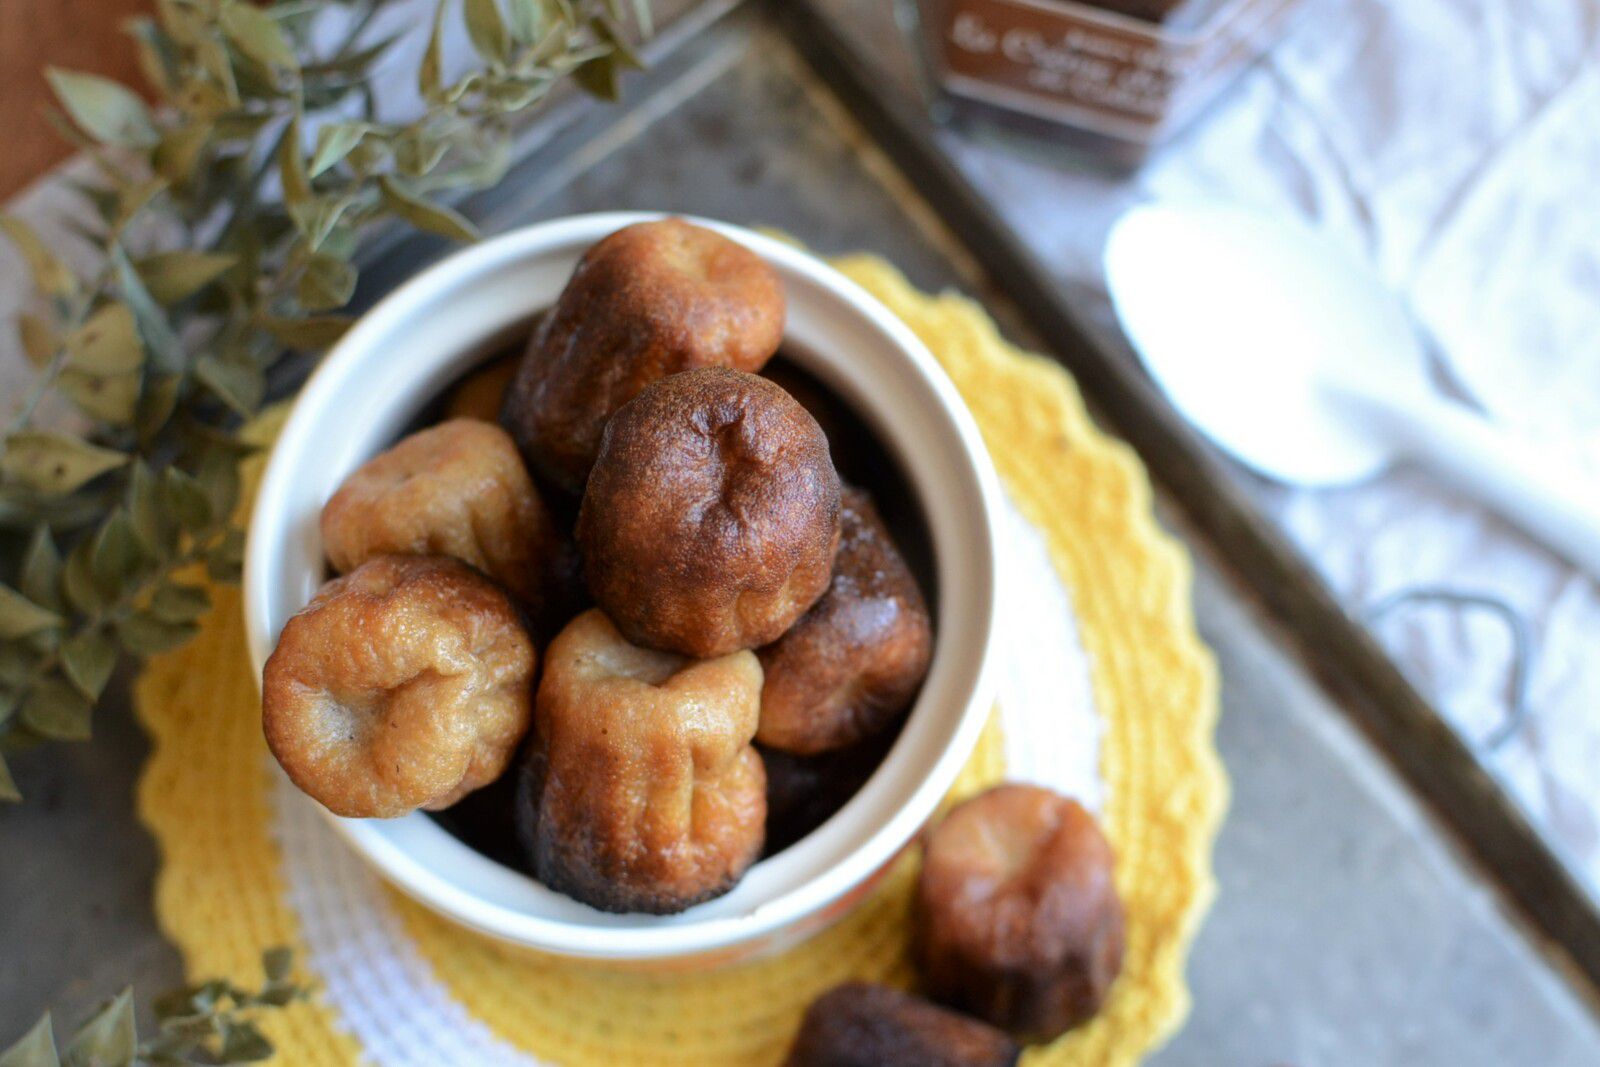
(214, 1023)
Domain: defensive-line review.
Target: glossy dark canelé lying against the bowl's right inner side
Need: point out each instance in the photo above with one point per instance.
(854, 663)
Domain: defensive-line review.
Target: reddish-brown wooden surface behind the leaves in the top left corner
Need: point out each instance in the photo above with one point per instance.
(34, 34)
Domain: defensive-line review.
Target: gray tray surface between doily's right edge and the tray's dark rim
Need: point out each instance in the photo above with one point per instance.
(1346, 932)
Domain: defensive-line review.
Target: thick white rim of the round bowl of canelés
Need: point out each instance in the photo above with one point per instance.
(682, 937)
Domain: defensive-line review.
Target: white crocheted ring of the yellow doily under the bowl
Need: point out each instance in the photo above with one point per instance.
(383, 989)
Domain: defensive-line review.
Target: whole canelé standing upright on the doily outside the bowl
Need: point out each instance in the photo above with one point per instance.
(1017, 914)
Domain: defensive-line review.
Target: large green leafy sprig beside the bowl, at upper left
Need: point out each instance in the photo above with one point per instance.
(254, 178)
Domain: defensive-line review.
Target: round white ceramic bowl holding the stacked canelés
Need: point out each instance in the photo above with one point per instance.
(407, 350)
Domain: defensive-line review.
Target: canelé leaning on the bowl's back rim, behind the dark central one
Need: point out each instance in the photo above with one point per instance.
(649, 302)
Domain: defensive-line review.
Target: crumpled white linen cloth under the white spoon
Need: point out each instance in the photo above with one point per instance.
(1455, 145)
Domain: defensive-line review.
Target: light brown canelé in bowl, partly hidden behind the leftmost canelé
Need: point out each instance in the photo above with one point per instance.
(458, 490)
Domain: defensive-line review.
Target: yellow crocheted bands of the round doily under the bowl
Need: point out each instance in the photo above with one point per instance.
(222, 890)
